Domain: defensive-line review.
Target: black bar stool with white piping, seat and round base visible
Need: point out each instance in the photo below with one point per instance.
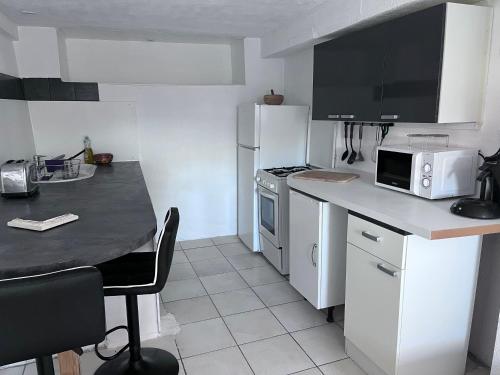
(132, 275)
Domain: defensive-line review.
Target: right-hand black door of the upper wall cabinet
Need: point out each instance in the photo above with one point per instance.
(412, 70)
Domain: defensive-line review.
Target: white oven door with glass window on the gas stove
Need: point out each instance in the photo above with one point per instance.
(269, 215)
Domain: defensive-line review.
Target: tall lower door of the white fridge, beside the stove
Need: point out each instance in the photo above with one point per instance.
(248, 161)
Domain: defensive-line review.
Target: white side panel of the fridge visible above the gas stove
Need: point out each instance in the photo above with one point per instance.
(283, 135)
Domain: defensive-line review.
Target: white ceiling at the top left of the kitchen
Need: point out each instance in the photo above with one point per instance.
(218, 18)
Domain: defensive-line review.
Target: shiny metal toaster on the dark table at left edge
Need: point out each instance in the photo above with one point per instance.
(16, 179)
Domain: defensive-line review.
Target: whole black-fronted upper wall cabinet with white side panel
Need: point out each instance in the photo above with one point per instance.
(394, 71)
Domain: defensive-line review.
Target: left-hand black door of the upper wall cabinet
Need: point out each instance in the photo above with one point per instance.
(348, 76)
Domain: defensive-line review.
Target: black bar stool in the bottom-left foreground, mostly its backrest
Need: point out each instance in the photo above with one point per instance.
(46, 314)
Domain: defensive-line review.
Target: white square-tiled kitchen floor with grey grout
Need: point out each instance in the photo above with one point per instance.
(239, 316)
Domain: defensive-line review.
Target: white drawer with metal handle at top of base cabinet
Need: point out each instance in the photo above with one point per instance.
(377, 240)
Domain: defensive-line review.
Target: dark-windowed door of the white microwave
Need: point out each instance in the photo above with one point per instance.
(395, 170)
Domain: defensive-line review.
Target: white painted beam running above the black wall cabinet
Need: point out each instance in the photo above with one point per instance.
(335, 17)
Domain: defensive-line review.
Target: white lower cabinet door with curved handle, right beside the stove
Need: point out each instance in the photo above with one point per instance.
(305, 219)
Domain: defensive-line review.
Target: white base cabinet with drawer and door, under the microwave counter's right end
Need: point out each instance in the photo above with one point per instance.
(409, 301)
